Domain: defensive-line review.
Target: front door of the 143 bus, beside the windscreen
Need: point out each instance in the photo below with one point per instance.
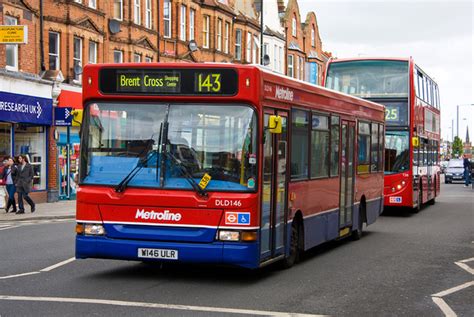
(274, 190)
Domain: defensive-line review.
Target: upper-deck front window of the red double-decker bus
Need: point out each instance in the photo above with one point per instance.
(370, 78)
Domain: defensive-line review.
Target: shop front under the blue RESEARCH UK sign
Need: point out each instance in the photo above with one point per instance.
(25, 121)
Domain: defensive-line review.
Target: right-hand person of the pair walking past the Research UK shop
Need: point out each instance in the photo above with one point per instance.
(23, 183)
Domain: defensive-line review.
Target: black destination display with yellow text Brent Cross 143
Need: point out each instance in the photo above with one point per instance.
(219, 82)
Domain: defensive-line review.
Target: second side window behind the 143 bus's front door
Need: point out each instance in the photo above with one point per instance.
(319, 146)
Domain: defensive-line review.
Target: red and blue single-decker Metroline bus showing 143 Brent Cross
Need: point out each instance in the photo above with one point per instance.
(221, 163)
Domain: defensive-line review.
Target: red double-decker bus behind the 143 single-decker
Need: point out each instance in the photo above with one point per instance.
(412, 115)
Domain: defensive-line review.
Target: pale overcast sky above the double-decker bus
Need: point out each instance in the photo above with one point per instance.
(437, 34)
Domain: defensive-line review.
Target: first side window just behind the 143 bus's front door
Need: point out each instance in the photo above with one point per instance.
(299, 144)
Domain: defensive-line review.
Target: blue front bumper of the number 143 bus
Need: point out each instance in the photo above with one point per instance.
(236, 254)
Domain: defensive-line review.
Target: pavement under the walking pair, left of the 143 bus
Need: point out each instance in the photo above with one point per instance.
(64, 209)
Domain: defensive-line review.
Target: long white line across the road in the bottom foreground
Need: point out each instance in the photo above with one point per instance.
(155, 305)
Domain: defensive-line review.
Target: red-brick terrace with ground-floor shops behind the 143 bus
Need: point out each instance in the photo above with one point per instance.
(78, 32)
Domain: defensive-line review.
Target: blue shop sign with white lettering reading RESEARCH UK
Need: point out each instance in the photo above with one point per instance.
(25, 109)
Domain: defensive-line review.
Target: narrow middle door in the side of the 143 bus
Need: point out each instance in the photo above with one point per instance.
(346, 198)
